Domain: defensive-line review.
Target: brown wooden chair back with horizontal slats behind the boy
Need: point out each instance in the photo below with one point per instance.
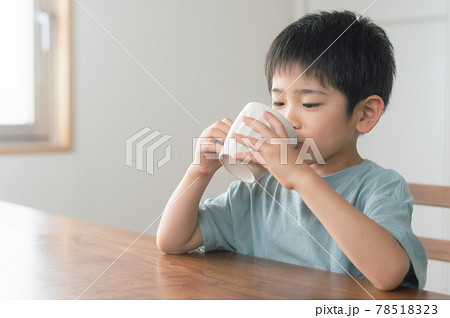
(432, 195)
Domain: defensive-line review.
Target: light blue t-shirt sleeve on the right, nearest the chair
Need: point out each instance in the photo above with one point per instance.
(391, 205)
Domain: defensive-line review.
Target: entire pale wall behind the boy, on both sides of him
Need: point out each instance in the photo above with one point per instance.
(209, 55)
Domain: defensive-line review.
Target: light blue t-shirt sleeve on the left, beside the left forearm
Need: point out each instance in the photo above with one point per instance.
(215, 219)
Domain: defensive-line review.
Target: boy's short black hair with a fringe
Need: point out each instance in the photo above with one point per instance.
(359, 63)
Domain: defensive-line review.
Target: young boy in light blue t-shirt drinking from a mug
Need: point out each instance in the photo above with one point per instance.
(348, 215)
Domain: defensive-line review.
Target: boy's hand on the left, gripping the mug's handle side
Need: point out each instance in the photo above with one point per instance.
(209, 145)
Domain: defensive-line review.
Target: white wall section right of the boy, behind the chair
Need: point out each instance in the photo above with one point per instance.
(413, 136)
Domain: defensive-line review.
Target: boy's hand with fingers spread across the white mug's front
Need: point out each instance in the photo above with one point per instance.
(275, 143)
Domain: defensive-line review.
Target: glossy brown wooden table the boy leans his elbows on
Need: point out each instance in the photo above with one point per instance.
(48, 256)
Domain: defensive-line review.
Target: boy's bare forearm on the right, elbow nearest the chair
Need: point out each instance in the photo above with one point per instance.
(370, 247)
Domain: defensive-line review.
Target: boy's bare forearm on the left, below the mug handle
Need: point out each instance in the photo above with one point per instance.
(178, 231)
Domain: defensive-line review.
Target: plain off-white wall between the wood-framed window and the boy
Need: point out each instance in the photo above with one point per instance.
(208, 54)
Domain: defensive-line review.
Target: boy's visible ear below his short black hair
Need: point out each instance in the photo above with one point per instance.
(369, 111)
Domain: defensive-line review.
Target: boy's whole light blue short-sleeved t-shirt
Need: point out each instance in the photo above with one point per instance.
(247, 220)
